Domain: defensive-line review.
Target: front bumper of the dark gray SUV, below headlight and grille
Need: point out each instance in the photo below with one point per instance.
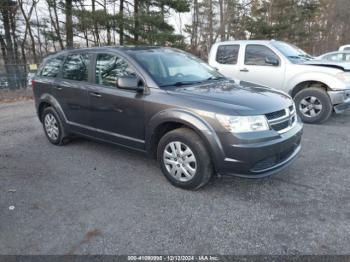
(261, 156)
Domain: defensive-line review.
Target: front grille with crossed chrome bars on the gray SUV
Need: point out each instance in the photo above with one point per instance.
(282, 120)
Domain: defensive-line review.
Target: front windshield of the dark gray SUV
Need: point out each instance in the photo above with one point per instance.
(170, 67)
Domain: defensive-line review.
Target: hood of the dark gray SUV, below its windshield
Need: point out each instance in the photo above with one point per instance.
(227, 96)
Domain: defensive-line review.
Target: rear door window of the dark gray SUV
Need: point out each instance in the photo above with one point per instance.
(76, 67)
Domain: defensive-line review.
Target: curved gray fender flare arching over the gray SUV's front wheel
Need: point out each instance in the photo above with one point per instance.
(191, 120)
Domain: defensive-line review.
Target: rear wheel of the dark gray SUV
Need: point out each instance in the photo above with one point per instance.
(53, 127)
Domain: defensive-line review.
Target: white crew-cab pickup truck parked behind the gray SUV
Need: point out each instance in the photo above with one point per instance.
(318, 87)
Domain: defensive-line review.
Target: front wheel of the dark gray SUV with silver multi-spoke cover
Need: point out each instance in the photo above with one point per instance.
(184, 159)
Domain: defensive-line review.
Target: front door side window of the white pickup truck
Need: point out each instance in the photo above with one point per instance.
(257, 55)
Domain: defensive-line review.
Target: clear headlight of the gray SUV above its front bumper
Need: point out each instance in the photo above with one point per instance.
(243, 124)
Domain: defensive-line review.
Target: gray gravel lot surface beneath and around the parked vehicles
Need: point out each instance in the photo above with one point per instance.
(93, 198)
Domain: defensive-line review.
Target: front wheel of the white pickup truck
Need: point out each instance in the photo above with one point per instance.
(313, 105)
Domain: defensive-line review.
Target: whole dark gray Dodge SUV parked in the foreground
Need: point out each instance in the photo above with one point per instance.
(171, 105)
